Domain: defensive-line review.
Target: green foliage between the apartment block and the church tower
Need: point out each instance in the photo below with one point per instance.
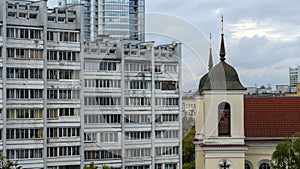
(188, 150)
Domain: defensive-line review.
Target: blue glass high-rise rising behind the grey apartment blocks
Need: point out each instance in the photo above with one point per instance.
(122, 19)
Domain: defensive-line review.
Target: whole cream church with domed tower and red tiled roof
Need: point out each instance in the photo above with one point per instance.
(236, 131)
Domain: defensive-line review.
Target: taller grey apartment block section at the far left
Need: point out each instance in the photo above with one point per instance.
(41, 85)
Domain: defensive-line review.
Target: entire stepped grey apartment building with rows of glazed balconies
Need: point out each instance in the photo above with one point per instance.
(66, 103)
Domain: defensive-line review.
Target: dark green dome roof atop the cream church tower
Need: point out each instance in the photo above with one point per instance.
(221, 77)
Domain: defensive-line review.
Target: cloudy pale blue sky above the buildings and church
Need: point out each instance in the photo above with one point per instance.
(262, 38)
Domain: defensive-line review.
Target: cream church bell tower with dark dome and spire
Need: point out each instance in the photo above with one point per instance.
(219, 140)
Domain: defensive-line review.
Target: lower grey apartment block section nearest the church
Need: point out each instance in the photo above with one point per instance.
(132, 104)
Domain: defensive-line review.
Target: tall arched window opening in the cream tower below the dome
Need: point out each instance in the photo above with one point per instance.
(224, 119)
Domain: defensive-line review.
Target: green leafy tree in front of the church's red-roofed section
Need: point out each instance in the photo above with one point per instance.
(287, 154)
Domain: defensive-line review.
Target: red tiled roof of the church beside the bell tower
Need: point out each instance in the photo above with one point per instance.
(272, 117)
